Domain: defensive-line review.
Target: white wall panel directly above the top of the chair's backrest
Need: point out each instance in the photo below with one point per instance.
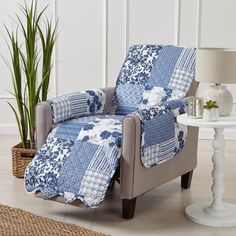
(151, 21)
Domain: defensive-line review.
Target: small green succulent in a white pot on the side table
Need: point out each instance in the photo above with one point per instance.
(211, 111)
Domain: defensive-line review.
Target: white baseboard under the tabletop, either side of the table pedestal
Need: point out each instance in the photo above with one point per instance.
(207, 133)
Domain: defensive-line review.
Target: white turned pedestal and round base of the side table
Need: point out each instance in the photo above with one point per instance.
(216, 213)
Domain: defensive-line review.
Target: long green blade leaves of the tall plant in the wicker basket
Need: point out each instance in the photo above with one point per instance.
(25, 61)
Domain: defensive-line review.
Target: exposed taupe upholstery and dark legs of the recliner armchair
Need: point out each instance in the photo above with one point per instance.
(135, 179)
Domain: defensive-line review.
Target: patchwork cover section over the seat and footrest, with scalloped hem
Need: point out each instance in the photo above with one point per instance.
(78, 167)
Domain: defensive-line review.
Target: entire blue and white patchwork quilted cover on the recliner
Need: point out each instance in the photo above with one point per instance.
(82, 152)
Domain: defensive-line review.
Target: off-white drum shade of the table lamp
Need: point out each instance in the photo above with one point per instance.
(216, 66)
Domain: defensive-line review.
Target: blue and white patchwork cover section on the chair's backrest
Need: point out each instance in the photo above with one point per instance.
(161, 73)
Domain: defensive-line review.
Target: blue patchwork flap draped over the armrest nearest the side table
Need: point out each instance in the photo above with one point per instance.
(162, 137)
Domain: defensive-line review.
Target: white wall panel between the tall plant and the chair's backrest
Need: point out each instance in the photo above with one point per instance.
(80, 46)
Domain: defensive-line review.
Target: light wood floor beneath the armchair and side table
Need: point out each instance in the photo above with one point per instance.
(159, 212)
